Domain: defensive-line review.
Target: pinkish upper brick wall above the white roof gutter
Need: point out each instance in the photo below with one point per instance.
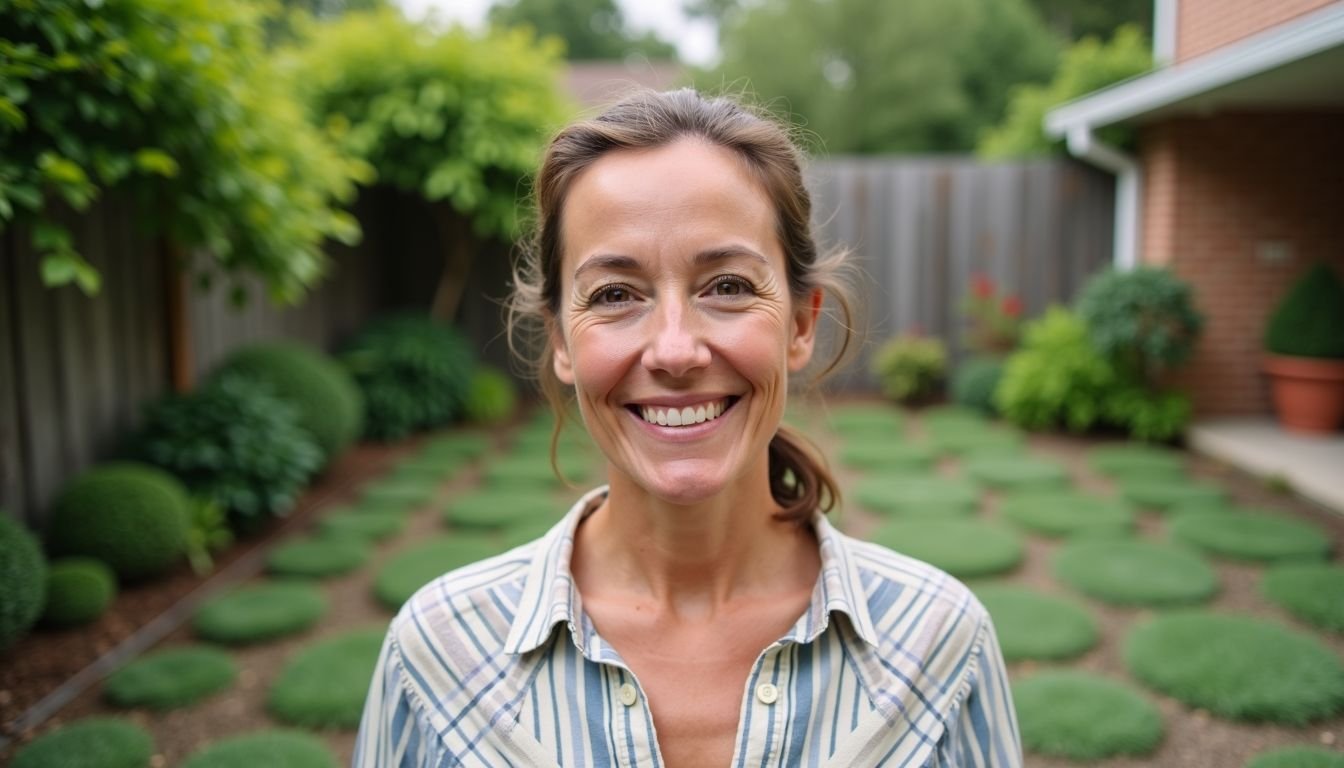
(1206, 25)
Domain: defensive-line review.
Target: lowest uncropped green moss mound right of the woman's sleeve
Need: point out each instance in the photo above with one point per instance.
(1085, 718)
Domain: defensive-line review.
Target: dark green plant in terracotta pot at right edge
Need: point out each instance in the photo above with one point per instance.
(1306, 345)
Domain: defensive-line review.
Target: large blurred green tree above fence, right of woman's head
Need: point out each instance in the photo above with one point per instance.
(872, 76)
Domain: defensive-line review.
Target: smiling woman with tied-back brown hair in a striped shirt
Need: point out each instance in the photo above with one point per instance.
(700, 610)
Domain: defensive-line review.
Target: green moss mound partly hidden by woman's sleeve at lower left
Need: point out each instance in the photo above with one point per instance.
(326, 685)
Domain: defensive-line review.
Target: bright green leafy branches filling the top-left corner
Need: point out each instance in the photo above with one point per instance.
(197, 123)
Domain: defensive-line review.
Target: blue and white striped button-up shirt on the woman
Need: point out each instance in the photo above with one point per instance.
(894, 664)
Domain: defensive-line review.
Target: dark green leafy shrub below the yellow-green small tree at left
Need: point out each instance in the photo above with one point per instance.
(415, 373)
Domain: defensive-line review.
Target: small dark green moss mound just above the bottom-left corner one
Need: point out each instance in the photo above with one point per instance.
(171, 679)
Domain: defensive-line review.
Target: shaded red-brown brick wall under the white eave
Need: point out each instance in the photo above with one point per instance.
(1216, 192)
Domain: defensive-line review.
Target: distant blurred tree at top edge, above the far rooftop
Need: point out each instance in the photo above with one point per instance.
(591, 29)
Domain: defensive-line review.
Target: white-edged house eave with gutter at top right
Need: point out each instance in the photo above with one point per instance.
(1299, 64)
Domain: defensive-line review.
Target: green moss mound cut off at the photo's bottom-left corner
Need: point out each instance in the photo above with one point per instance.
(91, 743)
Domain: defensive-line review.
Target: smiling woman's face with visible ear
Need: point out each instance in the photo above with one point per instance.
(675, 325)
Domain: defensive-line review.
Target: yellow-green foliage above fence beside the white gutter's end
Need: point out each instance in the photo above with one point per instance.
(1087, 67)
